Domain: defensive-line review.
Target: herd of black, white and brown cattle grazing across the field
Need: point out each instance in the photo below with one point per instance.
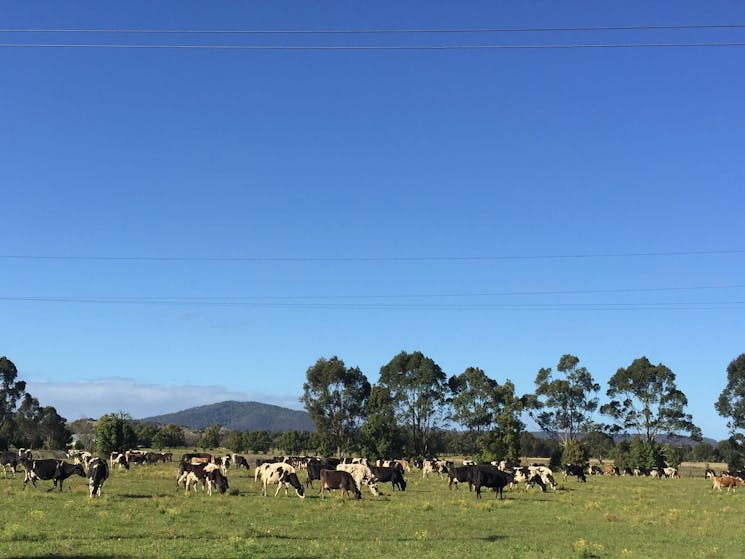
(349, 476)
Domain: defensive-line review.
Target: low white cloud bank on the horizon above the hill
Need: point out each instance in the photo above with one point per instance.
(95, 398)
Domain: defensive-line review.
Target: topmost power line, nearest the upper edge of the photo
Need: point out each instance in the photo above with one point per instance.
(405, 31)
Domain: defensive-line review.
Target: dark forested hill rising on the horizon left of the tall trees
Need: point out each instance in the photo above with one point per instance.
(239, 416)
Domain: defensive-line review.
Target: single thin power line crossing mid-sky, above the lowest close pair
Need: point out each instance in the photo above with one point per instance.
(362, 259)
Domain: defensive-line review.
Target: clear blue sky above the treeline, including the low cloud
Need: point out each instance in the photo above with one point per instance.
(220, 219)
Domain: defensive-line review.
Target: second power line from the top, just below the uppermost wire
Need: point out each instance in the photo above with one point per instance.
(461, 47)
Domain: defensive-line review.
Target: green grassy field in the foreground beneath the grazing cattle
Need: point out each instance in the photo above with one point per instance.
(140, 514)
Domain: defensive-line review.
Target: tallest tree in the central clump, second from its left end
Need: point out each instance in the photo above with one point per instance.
(419, 390)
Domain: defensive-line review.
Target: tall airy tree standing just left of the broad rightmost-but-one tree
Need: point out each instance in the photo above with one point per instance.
(565, 404)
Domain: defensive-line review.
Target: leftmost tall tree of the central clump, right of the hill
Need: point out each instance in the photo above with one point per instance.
(335, 397)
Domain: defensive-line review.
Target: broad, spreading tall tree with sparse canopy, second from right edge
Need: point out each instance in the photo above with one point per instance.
(646, 401)
